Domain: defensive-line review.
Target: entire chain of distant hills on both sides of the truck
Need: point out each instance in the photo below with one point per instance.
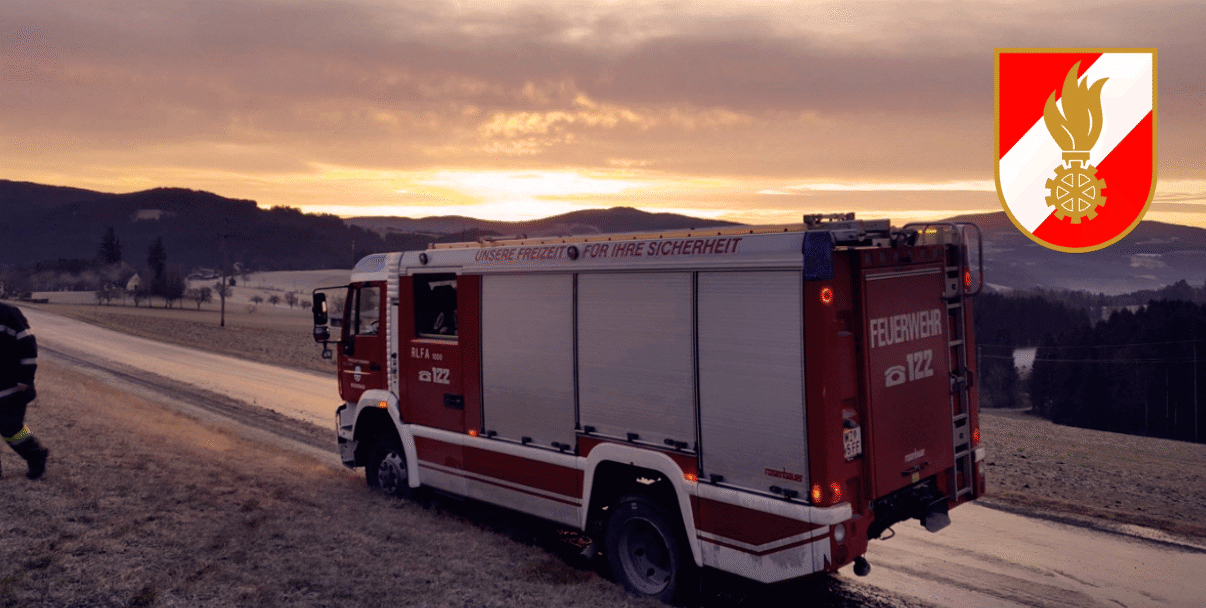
(54, 223)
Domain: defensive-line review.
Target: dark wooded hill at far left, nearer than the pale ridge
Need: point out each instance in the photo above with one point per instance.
(54, 223)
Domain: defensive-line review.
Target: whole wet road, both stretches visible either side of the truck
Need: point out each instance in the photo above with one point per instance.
(987, 558)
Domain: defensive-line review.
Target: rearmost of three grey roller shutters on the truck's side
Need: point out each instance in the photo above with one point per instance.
(751, 358)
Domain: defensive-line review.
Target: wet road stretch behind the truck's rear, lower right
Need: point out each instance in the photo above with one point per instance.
(988, 558)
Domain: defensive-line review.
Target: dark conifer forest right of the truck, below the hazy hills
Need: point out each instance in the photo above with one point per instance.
(1102, 363)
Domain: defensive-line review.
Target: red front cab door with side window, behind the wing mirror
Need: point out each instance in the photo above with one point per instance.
(362, 349)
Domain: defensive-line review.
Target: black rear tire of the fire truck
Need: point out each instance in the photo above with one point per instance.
(648, 553)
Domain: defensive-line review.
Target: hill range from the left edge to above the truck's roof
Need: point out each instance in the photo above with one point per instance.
(54, 223)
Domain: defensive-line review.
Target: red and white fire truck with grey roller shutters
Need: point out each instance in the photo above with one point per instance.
(759, 401)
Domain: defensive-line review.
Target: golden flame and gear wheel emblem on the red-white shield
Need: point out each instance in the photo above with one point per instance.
(1076, 190)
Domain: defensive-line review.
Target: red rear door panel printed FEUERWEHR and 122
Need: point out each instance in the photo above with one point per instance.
(909, 373)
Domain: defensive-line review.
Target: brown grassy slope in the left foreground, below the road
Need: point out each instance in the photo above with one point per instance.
(147, 507)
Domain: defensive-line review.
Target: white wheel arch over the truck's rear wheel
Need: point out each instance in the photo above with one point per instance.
(611, 473)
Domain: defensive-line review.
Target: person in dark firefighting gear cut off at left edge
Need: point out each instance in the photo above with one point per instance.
(19, 363)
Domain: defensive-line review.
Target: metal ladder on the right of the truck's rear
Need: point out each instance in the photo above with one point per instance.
(958, 288)
